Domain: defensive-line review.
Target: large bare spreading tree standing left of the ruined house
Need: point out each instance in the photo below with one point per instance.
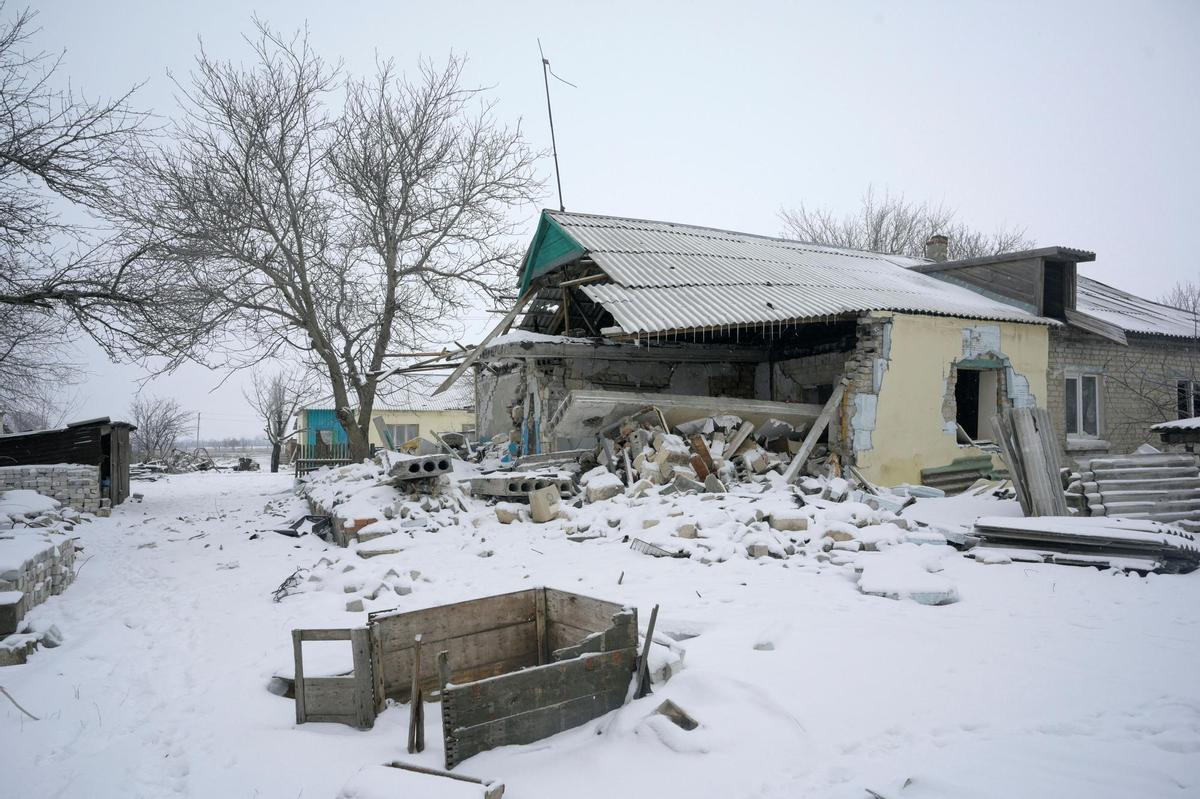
(337, 236)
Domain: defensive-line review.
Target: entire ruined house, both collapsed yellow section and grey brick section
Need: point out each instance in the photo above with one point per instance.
(619, 314)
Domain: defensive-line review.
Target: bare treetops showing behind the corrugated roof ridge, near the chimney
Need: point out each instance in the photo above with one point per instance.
(895, 225)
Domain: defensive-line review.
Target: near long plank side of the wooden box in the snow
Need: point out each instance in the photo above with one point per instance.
(535, 704)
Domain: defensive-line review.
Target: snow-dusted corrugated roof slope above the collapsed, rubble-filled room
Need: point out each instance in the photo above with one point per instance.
(671, 278)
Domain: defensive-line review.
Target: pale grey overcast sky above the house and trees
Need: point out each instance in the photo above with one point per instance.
(1077, 121)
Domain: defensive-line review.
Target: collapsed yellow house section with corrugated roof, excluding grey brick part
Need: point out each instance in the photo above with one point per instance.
(637, 308)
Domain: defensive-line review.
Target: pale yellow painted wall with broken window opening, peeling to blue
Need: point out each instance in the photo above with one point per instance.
(909, 425)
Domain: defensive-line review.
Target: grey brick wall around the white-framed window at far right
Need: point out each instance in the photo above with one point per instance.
(1138, 385)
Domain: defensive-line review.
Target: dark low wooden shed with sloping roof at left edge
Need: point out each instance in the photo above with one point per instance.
(101, 443)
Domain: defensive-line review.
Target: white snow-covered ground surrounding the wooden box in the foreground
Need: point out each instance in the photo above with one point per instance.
(1040, 681)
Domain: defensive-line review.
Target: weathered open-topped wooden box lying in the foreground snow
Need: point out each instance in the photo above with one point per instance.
(523, 668)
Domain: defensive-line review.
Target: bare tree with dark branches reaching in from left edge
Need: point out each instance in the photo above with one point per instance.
(61, 153)
